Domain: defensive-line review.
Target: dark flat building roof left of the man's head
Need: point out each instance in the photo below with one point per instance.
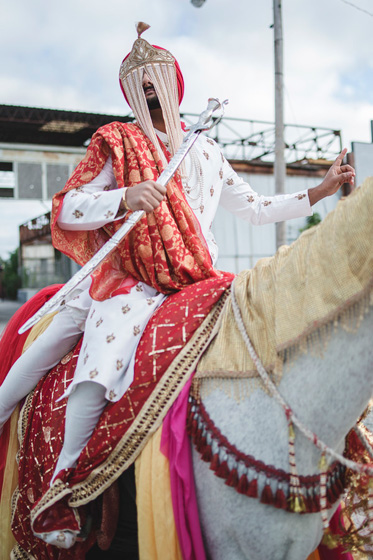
(30, 125)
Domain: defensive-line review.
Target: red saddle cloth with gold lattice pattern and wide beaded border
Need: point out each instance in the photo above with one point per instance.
(163, 365)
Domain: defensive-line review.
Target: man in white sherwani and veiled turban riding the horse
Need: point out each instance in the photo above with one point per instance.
(169, 249)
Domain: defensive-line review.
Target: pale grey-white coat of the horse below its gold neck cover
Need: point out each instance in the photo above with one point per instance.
(328, 394)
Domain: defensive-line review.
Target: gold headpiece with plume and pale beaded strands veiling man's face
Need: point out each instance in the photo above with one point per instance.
(159, 65)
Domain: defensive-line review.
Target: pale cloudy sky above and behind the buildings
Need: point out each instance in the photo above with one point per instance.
(66, 55)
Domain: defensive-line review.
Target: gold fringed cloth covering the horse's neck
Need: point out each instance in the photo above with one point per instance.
(291, 302)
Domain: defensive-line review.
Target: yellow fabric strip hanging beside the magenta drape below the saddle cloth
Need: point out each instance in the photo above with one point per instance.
(157, 531)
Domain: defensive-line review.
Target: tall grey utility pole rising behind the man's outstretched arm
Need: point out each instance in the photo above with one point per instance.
(279, 166)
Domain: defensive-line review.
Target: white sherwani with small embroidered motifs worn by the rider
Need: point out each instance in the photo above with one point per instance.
(113, 328)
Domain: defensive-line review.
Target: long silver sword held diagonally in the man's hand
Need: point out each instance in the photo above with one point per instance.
(206, 121)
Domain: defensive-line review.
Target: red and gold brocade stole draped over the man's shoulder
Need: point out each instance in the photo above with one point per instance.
(166, 249)
